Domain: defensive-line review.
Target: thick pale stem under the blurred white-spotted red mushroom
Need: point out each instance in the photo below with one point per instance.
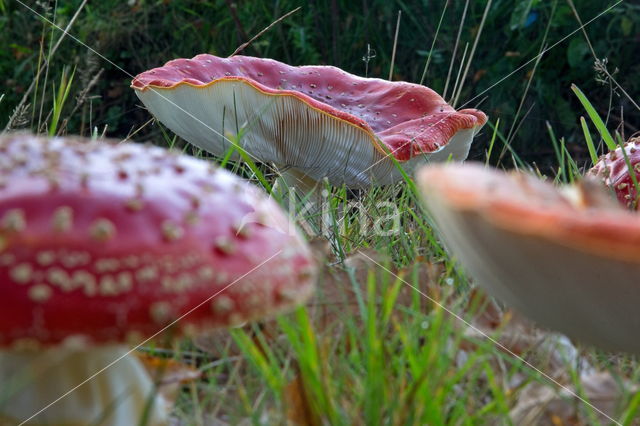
(116, 394)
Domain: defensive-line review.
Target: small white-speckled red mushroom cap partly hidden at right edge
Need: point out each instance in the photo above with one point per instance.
(613, 170)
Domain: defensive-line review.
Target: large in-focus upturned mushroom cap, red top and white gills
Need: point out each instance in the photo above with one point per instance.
(318, 120)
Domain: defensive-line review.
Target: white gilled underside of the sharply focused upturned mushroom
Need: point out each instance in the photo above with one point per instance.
(283, 130)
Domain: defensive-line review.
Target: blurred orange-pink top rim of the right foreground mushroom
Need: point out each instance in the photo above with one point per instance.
(529, 206)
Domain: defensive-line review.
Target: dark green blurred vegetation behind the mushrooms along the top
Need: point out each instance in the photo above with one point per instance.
(503, 78)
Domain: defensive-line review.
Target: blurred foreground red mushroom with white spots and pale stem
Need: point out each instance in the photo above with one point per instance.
(104, 244)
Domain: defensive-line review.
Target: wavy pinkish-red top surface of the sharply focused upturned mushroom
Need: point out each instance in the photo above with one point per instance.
(409, 119)
